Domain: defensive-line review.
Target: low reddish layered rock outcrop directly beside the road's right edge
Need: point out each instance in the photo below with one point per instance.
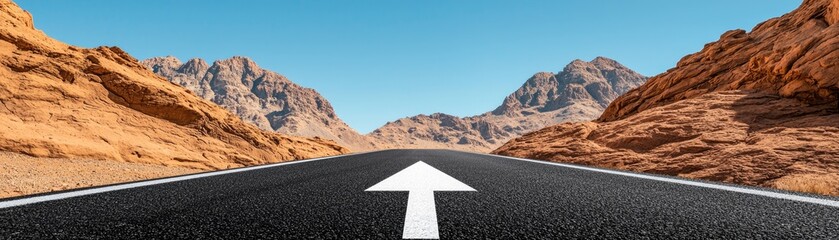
(737, 136)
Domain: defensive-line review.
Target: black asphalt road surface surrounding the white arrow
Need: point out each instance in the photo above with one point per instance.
(326, 199)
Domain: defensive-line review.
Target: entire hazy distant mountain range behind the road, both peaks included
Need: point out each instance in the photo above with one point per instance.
(234, 84)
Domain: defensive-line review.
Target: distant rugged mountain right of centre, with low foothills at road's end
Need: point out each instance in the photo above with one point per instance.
(579, 92)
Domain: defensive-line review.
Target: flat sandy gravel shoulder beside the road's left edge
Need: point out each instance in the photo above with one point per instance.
(24, 175)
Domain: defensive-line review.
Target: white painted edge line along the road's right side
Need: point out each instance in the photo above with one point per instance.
(791, 197)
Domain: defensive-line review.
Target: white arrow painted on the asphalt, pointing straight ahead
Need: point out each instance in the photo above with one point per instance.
(420, 180)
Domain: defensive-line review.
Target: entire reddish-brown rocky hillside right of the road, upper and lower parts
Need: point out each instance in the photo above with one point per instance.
(757, 108)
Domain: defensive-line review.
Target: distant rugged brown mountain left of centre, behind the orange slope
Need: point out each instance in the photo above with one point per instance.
(265, 98)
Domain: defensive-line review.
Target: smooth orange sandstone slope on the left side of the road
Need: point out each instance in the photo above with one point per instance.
(63, 101)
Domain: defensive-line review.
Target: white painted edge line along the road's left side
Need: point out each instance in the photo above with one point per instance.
(95, 190)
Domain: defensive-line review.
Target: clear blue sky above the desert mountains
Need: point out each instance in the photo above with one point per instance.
(377, 61)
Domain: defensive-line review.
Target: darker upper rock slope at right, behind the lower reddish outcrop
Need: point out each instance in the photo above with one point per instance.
(791, 56)
